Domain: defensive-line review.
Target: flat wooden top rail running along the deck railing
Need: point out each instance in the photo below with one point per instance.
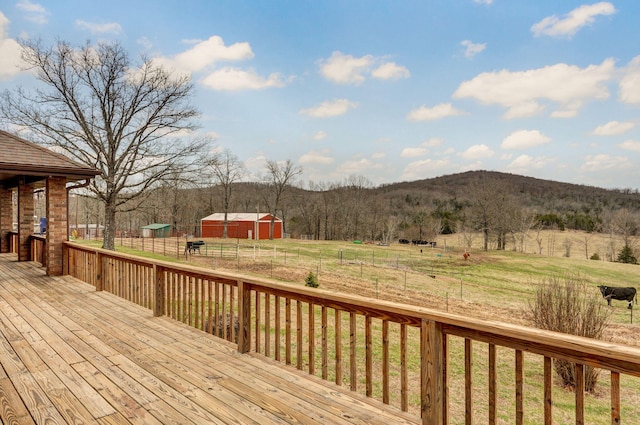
(616, 357)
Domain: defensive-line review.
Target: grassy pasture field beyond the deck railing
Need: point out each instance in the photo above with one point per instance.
(496, 285)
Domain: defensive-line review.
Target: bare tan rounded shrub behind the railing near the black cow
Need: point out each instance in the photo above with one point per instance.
(570, 306)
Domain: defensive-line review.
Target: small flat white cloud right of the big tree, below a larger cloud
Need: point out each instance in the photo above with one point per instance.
(234, 79)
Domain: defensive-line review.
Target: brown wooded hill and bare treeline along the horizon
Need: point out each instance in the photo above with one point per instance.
(498, 203)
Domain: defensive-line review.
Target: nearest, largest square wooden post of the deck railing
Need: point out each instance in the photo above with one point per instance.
(432, 406)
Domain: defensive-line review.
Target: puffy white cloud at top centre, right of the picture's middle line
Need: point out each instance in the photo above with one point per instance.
(347, 69)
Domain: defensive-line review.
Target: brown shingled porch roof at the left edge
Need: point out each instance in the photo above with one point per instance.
(21, 158)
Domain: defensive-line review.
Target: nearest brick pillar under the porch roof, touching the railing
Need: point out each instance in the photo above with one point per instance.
(57, 225)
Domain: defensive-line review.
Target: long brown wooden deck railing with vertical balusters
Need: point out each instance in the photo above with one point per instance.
(420, 360)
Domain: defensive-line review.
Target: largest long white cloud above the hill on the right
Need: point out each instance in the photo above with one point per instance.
(522, 91)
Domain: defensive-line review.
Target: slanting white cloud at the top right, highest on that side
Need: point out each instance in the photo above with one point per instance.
(569, 24)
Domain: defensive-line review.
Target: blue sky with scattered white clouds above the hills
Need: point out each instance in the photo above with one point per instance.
(389, 90)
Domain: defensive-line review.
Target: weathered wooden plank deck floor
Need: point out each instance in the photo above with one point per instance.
(70, 354)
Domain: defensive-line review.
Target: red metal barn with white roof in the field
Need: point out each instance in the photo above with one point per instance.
(240, 226)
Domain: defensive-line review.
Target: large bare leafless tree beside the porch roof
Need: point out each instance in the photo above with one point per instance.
(102, 110)
